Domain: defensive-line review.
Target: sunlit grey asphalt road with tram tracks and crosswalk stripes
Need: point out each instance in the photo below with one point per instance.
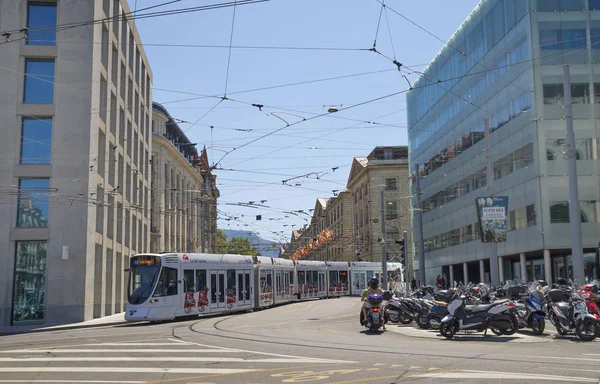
(308, 342)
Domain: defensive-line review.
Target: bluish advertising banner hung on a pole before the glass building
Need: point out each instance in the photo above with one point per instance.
(492, 213)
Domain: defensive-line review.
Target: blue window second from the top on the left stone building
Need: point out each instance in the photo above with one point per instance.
(39, 81)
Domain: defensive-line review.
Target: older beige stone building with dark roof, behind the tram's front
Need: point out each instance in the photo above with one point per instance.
(183, 192)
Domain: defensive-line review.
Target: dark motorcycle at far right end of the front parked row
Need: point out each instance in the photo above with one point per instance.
(569, 314)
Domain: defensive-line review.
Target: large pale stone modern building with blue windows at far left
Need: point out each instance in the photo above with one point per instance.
(75, 112)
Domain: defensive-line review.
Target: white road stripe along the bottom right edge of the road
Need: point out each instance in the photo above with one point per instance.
(467, 374)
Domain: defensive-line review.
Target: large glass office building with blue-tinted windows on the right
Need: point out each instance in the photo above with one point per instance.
(504, 65)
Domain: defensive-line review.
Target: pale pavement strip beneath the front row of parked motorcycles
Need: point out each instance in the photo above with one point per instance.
(410, 331)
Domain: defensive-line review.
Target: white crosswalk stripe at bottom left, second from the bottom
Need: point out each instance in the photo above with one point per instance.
(125, 370)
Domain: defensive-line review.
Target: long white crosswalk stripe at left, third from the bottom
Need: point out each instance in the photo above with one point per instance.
(166, 358)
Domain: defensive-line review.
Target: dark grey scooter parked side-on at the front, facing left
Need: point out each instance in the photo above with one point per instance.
(499, 315)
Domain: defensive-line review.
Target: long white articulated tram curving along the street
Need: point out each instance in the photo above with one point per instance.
(163, 287)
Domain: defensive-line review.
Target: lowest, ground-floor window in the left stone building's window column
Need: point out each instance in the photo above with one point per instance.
(29, 294)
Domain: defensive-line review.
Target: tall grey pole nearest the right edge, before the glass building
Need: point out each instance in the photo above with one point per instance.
(574, 210)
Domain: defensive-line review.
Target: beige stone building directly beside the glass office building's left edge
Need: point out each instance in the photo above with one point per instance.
(385, 170)
